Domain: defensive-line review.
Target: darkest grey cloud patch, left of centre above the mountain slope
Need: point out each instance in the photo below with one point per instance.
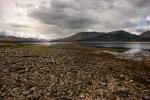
(63, 15)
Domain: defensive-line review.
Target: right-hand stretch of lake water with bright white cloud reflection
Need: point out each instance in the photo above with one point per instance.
(132, 50)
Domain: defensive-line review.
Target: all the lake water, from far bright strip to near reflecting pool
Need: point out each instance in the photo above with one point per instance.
(131, 50)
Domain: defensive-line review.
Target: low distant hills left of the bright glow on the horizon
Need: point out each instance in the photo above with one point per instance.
(16, 39)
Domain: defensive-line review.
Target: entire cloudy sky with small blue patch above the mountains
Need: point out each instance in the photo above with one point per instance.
(51, 19)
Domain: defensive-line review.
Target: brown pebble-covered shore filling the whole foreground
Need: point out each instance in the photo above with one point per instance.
(70, 72)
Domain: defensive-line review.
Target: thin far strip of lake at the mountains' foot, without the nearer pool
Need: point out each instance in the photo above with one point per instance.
(127, 45)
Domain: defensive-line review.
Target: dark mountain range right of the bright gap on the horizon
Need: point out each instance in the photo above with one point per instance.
(115, 36)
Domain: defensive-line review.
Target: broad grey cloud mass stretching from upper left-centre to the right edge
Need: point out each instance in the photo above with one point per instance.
(83, 14)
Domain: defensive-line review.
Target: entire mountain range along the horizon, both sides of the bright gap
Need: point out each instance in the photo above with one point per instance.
(115, 36)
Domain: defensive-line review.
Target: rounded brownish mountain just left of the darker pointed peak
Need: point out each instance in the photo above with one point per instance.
(80, 36)
